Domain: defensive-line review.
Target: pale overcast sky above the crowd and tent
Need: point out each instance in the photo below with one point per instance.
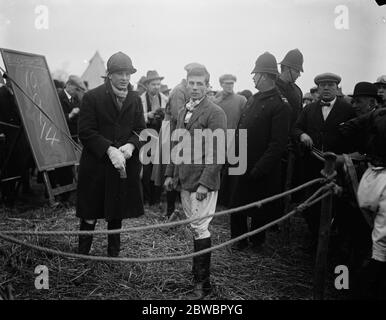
(225, 35)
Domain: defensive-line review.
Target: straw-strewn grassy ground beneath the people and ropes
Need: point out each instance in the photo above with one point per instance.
(284, 270)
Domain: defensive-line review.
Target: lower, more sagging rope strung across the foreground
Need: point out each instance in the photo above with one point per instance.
(299, 208)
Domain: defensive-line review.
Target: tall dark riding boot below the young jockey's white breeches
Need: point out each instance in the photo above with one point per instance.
(202, 286)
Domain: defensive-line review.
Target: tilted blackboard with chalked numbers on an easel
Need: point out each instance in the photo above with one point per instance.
(50, 146)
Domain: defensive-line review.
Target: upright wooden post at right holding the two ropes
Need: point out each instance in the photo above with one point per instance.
(324, 231)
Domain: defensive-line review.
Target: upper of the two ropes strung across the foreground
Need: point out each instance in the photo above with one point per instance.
(170, 224)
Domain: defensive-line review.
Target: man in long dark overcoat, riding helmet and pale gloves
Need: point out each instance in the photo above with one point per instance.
(110, 122)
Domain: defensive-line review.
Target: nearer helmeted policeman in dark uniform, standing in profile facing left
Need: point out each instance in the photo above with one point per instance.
(266, 119)
